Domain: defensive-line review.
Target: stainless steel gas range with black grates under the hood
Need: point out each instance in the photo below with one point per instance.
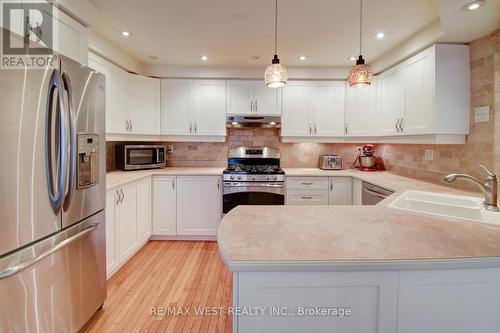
(253, 177)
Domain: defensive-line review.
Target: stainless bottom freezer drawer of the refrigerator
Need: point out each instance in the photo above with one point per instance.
(57, 284)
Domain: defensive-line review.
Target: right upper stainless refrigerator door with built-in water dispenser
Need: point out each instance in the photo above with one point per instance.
(85, 98)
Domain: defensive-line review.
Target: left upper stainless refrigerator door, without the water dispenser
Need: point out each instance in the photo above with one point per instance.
(27, 212)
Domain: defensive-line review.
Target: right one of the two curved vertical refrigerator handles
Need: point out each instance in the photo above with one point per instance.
(71, 147)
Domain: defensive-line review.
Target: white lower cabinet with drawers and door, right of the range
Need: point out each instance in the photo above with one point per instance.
(319, 191)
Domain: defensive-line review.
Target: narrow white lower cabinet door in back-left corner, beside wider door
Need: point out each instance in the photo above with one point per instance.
(164, 206)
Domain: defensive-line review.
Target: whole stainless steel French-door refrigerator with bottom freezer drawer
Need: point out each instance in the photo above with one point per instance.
(52, 197)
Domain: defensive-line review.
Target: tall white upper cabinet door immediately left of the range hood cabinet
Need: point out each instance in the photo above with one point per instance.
(210, 107)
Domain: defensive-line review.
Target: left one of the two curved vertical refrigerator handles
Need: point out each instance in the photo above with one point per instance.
(56, 191)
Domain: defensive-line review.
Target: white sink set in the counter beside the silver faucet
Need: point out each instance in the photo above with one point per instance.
(445, 205)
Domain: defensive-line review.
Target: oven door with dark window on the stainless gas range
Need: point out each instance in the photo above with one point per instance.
(252, 193)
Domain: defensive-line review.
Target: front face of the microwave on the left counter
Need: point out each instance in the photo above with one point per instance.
(143, 157)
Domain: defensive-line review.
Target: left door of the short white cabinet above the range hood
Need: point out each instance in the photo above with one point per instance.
(240, 96)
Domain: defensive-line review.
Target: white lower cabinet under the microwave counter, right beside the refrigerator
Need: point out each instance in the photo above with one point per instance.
(128, 222)
